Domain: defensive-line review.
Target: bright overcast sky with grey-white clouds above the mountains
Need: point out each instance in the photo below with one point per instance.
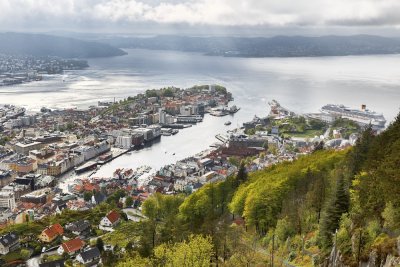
(142, 15)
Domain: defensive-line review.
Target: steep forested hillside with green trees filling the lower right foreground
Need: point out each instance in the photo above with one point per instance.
(292, 213)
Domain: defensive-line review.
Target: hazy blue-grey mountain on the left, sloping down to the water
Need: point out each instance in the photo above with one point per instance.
(47, 45)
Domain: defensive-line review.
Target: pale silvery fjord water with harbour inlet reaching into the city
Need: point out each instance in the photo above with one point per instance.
(300, 84)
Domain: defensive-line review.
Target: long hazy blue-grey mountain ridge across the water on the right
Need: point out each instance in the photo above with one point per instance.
(278, 46)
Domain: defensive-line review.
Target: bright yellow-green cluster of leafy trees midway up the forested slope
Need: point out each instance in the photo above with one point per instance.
(260, 200)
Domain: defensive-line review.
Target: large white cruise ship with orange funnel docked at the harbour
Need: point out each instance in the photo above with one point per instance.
(362, 116)
